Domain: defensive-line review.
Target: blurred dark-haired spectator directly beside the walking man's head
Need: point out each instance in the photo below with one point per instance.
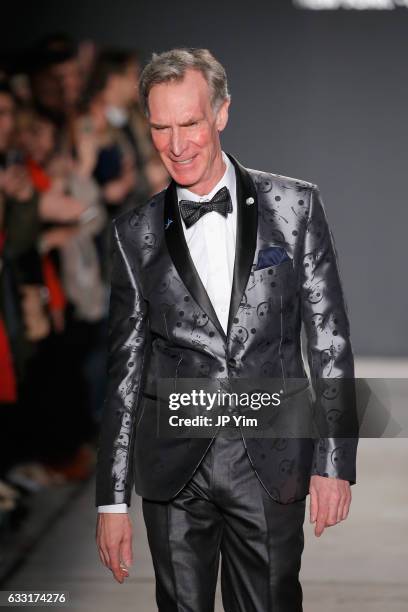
(125, 145)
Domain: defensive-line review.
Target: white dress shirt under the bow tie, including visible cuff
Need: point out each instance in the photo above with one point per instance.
(211, 242)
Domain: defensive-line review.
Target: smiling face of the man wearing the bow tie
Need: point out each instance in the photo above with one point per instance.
(185, 130)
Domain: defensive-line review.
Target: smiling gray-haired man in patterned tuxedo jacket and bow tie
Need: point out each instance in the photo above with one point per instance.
(214, 277)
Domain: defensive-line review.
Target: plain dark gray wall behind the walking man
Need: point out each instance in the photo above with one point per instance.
(322, 96)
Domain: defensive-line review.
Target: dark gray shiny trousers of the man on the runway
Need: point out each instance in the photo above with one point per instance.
(225, 511)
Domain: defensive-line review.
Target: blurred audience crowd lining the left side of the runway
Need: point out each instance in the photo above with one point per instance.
(75, 151)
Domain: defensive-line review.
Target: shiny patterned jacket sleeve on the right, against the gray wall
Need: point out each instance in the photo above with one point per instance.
(329, 351)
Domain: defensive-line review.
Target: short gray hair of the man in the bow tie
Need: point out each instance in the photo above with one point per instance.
(172, 65)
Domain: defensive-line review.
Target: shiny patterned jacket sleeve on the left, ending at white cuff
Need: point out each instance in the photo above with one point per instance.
(127, 350)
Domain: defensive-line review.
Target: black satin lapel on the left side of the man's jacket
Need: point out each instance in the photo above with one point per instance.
(180, 254)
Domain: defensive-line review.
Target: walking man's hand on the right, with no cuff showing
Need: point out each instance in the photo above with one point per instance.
(330, 500)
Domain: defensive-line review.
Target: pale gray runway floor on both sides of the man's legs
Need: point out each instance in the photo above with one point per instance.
(359, 565)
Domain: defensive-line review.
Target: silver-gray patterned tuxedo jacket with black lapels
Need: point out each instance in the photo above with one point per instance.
(162, 325)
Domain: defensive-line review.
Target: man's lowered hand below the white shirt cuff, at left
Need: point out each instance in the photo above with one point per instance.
(114, 541)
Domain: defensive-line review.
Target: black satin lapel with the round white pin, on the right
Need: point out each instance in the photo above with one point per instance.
(245, 245)
